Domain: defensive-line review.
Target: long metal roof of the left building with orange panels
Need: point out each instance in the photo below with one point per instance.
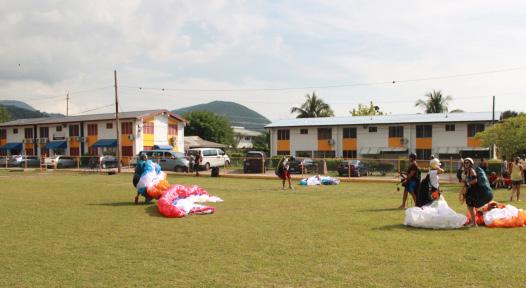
(85, 118)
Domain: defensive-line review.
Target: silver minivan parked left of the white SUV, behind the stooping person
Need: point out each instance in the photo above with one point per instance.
(168, 160)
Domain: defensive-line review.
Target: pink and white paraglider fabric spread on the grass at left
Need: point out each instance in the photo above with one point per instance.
(179, 201)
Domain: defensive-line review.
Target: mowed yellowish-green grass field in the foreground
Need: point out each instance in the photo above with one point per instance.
(66, 229)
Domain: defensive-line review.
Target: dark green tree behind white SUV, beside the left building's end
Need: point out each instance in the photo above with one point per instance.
(209, 126)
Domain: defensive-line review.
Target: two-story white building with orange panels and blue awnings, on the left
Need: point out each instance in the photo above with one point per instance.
(93, 134)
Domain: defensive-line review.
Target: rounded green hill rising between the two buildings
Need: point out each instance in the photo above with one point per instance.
(238, 115)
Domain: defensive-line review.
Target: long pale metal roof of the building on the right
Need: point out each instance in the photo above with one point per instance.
(387, 119)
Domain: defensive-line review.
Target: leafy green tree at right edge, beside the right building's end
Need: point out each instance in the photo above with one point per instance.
(507, 135)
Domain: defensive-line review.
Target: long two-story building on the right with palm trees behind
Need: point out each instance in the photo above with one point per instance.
(385, 136)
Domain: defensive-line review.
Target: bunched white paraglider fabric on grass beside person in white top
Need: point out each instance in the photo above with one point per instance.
(437, 215)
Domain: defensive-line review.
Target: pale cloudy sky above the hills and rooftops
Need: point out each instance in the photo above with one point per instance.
(266, 55)
